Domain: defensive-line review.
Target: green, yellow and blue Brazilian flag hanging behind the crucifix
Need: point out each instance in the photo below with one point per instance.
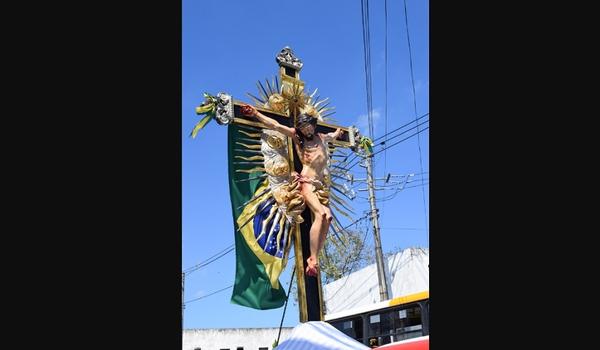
(261, 249)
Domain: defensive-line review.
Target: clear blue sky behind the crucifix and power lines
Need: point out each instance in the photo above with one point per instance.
(229, 45)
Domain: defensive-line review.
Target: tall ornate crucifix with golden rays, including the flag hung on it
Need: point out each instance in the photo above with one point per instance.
(280, 181)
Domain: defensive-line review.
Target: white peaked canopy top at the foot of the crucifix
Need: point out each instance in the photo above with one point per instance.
(316, 335)
